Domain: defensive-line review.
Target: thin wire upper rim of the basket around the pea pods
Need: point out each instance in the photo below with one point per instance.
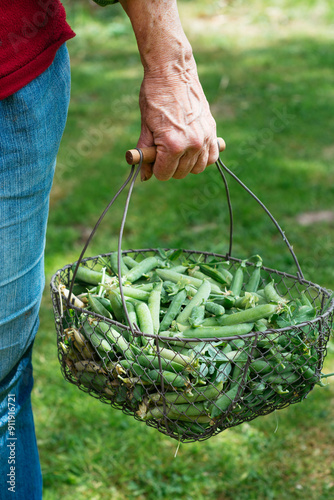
(325, 291)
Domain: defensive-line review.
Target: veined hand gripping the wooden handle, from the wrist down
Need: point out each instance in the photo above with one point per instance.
(176, 118)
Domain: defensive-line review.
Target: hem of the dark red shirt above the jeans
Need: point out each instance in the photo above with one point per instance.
(31, 31)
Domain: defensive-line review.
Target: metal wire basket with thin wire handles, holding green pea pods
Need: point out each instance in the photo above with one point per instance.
(207, 384)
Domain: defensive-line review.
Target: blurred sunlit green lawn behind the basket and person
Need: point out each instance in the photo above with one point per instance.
(267, 73)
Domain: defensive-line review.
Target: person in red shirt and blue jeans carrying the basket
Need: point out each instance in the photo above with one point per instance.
(34, 86)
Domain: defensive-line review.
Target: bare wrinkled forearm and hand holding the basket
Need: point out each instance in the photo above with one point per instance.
(175, 113)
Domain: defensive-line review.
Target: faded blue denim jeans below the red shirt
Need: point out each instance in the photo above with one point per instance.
(31, 126)
